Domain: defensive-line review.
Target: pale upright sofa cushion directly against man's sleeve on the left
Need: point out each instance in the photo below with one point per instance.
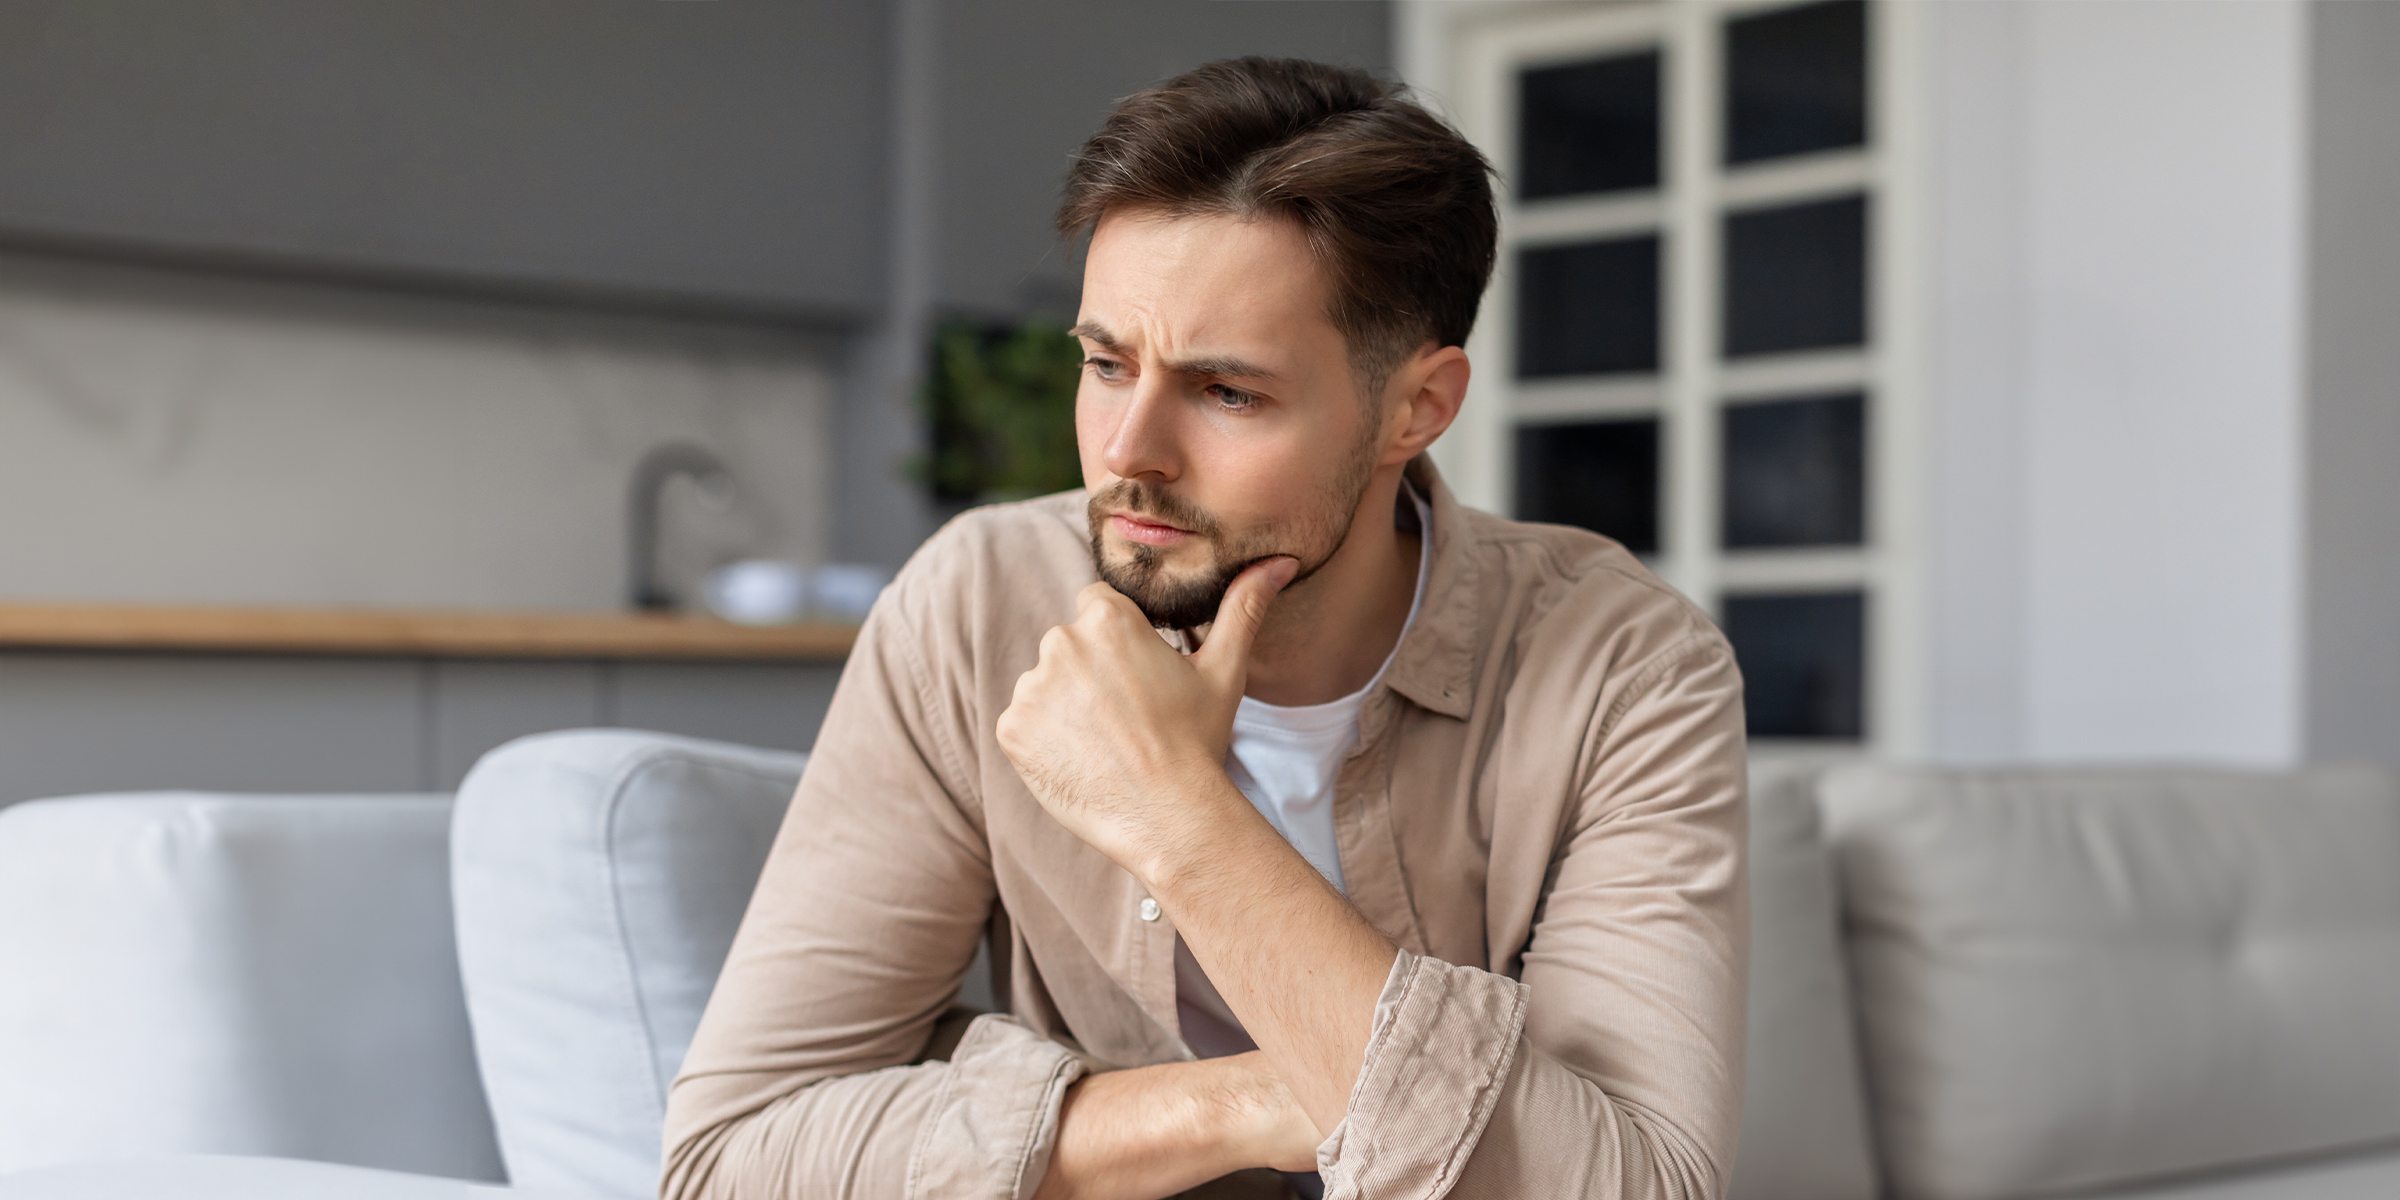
(599, 882)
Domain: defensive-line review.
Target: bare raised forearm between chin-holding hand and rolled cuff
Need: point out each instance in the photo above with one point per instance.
(1290, 954)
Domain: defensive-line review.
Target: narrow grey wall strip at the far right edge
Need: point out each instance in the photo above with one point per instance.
(2353, 445)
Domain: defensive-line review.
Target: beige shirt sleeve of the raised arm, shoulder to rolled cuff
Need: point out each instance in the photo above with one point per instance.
(1612, 1069)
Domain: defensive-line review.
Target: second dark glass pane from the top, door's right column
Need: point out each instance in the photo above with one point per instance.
(1796, 277)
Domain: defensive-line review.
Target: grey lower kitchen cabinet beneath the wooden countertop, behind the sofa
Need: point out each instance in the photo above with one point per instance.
(306, 724)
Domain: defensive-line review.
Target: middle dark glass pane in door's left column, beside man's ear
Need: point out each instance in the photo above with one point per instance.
(1588, 308)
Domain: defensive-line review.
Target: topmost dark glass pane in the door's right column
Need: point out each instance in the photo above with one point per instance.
(1796, 80)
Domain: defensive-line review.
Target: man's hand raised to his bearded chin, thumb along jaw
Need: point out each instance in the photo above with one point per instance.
(1112, 719)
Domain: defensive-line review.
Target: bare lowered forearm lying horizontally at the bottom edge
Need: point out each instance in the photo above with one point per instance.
(1163, 1129)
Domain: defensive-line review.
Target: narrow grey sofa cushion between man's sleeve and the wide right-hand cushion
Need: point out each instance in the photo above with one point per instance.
(1804, 1105)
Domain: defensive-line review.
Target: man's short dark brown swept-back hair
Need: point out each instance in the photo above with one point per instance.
(1396, 205)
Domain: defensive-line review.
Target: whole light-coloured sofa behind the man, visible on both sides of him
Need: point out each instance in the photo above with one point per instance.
(2171, 985)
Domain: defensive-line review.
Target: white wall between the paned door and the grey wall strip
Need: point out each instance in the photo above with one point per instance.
(2116, 378)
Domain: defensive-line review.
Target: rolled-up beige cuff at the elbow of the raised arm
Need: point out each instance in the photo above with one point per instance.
(1436, 1062)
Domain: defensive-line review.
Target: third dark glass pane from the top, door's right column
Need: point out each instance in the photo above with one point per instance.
(1796, 472)
